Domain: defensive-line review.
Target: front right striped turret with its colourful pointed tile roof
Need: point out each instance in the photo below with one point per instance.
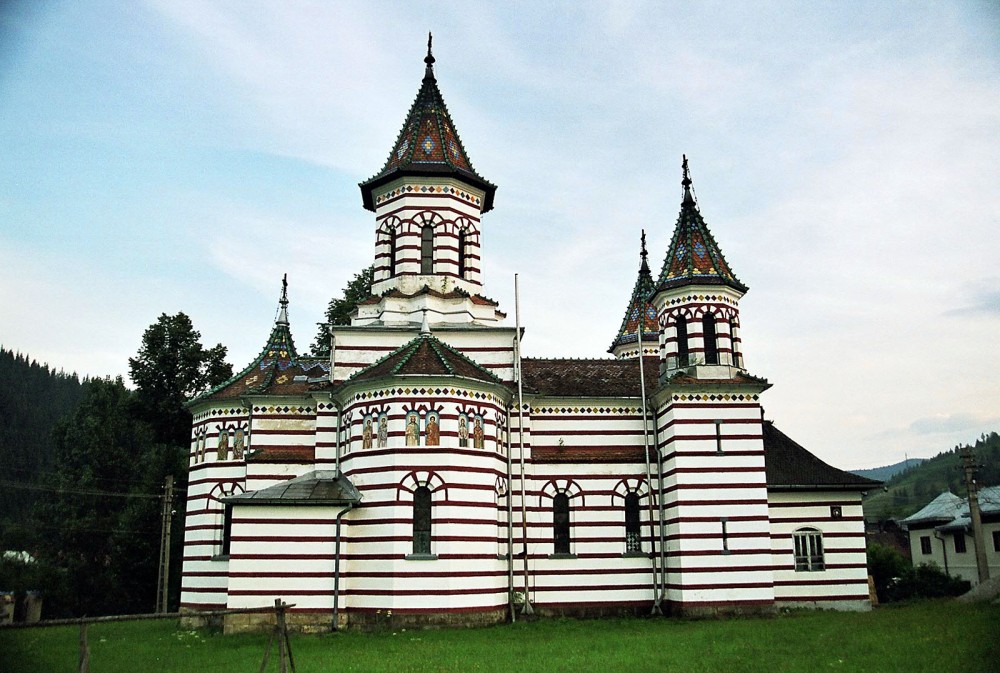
(697, 299)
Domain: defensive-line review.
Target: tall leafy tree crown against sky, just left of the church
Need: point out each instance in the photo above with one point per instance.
(170, 368)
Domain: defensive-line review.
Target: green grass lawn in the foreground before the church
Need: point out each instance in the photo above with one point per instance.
(938, 636)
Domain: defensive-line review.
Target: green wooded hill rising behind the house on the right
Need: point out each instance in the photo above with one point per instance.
(908, 491)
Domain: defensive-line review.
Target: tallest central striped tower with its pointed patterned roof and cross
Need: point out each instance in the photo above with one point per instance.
(428, 201)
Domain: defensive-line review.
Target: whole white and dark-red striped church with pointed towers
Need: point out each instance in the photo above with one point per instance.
(424, 473)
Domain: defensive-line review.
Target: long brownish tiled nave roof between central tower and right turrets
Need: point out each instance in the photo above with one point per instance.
(588, 378)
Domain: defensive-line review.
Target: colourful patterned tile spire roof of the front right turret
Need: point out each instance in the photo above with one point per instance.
(694, 257)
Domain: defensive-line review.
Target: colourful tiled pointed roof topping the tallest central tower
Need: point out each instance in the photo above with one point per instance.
(428, 144)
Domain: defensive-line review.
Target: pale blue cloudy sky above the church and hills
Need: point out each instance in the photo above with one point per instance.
(170, 155)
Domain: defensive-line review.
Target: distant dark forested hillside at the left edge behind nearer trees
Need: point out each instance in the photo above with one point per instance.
(33, 398)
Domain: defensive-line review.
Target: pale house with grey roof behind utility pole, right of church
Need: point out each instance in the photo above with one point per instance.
(941, 534)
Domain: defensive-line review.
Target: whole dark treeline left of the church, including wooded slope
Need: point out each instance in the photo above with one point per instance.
(88, 460)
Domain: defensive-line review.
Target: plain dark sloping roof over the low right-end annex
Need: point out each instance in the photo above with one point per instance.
(789, 466)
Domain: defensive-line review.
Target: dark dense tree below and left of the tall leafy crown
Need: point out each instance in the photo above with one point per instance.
(99, 529)
